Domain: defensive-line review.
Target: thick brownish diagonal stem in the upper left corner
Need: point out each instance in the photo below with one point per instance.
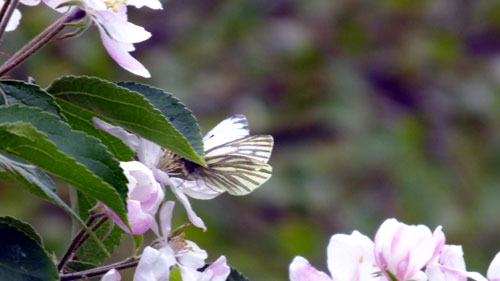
(40, 40)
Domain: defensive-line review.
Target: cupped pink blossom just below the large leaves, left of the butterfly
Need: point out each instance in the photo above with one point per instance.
(144, 197)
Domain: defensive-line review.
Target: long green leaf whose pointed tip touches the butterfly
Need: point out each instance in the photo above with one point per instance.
(126, 108)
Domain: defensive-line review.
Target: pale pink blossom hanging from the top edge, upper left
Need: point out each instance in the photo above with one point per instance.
(118, 35)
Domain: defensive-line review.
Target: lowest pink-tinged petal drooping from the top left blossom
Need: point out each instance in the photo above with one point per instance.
(119, 51)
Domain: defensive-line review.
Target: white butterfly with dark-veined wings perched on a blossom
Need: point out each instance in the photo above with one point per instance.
(236, 161)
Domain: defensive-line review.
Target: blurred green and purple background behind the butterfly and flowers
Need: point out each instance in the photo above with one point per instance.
(378, 109)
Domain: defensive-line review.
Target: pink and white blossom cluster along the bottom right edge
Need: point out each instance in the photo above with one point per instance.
(399, 252)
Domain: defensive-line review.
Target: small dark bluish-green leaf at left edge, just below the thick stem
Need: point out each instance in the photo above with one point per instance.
(19, 92)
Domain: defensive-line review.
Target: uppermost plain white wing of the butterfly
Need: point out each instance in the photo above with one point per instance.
(232, 128)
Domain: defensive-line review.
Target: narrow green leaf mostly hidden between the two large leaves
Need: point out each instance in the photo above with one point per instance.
(80, 119)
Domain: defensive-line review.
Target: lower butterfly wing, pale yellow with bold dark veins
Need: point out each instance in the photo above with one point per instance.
(238, 175)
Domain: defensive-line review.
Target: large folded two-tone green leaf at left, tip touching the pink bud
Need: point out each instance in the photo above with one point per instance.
(78, 159)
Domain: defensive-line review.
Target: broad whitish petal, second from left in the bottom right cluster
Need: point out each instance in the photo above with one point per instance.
(350, 257)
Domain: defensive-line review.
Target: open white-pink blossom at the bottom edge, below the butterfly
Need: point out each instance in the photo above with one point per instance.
(155, 264)
